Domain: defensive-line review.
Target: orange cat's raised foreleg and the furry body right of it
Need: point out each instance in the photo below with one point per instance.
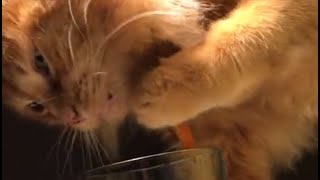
(250, 87)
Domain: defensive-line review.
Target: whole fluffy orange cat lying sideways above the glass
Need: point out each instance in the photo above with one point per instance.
(247, 81)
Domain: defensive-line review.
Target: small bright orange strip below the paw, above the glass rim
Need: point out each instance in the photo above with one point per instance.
(185, 136)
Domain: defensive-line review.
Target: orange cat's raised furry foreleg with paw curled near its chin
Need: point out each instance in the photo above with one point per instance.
(222, 70)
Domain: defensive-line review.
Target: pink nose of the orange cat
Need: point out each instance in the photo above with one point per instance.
(70, 116)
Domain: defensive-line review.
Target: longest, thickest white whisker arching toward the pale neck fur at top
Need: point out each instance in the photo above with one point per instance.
(133, 19)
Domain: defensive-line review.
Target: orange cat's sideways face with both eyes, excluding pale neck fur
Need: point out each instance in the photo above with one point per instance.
(60, 67)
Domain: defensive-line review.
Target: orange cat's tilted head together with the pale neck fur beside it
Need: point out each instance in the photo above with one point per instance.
(71, 61)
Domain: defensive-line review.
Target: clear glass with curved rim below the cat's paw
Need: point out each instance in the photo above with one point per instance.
(192, 164)
